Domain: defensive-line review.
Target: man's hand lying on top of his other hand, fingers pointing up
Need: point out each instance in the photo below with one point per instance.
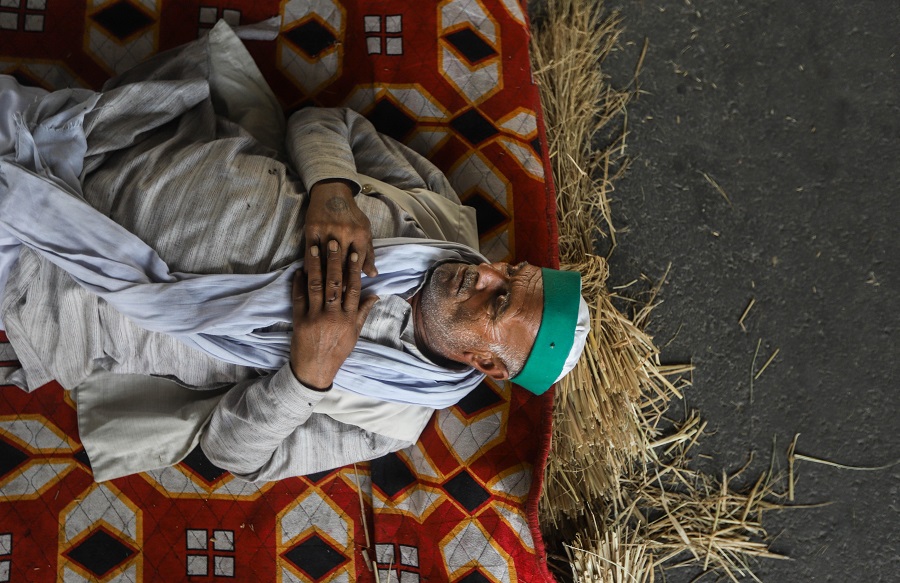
(327, 317)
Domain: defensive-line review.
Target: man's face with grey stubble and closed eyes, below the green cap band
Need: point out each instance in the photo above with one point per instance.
(484, 315)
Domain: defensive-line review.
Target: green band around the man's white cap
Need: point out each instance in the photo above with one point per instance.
(562, 297)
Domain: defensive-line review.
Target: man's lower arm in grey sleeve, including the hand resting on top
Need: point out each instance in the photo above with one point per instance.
(255, 418)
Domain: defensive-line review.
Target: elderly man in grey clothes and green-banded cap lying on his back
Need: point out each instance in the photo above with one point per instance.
(196, 272)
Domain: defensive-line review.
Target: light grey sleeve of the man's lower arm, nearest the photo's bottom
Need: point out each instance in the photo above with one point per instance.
(267, 429)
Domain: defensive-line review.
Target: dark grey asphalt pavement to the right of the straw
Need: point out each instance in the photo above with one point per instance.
(793, 108)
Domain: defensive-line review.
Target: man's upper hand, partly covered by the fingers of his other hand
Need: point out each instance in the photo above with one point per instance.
(333, 214)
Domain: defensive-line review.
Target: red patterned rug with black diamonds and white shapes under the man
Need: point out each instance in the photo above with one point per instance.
(451, 79)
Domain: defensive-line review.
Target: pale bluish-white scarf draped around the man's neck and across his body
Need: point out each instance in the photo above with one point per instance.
(223, 315)
